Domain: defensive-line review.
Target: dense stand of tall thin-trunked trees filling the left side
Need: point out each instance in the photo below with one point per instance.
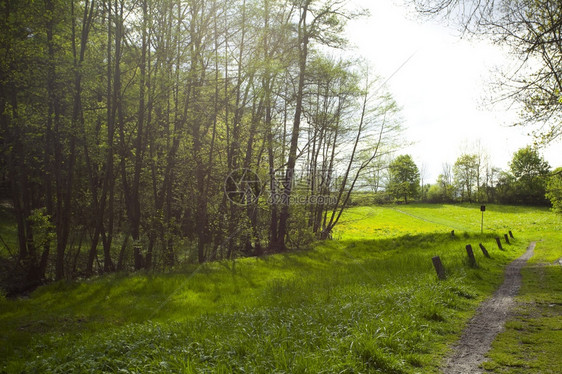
(121, 120)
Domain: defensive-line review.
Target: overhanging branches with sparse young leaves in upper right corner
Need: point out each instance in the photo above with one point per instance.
(531, 30)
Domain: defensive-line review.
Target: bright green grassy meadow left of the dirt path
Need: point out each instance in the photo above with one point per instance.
(368, 301)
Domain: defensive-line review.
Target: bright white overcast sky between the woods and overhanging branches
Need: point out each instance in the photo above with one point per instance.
(441, 89)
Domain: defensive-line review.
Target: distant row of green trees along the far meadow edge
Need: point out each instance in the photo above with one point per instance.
(529, 181)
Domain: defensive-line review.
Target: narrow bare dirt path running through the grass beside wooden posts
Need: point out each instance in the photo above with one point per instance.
(468, 352)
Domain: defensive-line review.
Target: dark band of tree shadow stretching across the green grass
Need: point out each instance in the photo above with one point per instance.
(330, 269)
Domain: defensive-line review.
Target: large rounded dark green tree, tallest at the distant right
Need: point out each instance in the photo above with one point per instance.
(530, 172)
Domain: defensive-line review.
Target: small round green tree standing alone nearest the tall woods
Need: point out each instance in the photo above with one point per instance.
(404, 178)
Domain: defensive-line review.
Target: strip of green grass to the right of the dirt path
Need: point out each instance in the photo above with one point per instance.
(532, 340)
